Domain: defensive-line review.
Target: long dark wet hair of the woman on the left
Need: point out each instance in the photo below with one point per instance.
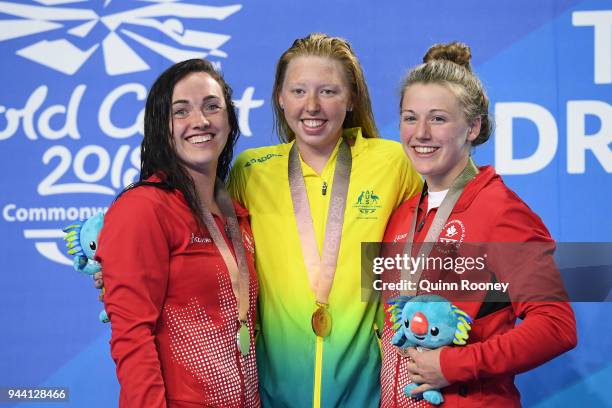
(158, 154)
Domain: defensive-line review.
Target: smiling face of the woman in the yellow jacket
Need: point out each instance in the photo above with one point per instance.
(314, 98)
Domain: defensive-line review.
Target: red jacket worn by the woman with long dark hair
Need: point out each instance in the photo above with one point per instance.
(172, 309)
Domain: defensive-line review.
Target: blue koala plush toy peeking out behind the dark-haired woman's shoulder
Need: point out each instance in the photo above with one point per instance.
(82, 241)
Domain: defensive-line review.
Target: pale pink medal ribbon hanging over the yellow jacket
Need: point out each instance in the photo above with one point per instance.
(321, 269)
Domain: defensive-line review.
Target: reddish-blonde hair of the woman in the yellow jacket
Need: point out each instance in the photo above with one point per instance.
(338, 49)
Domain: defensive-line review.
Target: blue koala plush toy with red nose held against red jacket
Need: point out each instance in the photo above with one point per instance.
(427, 321)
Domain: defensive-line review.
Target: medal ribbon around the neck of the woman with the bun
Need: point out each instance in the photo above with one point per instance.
(442, 214)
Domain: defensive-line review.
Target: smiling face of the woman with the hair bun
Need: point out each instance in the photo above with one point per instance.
(435, 134)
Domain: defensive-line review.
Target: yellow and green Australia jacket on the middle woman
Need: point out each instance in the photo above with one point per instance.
(297, 368)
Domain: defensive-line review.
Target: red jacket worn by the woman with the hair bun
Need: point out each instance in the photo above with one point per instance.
(481, 373)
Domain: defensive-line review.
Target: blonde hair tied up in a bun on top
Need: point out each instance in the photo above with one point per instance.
(449, 65)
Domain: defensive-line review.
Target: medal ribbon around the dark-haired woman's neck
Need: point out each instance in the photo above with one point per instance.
(239, 272)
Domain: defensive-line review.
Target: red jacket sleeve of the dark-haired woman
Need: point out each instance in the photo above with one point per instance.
(134, 254)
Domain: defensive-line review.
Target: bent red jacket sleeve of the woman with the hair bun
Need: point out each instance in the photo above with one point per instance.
(548, 328)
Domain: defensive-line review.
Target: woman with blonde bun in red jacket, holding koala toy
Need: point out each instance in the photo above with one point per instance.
(444, 113)
